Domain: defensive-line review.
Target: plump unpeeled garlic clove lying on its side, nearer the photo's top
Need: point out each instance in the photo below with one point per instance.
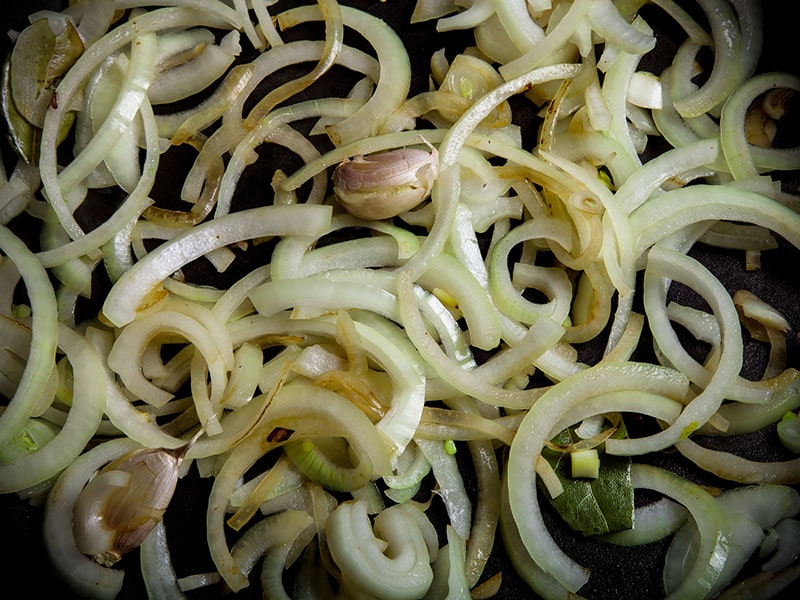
(385, 184)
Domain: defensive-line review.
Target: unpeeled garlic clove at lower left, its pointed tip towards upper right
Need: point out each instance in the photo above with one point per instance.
(126, 499)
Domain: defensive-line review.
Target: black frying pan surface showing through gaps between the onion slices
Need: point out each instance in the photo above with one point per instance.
(617, 572)
